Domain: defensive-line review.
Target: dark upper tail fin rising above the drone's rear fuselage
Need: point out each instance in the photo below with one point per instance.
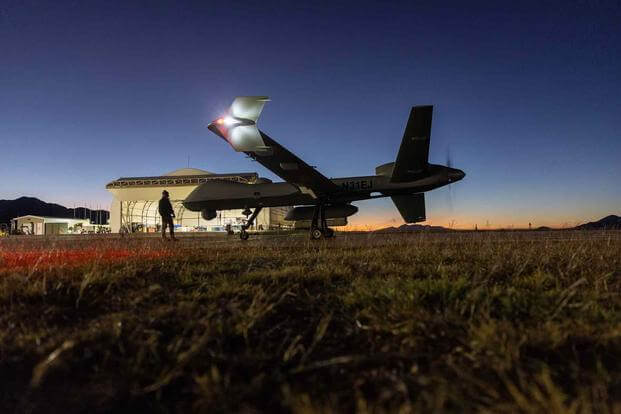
(414, 151)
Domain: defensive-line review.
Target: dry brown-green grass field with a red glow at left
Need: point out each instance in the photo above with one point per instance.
(486, 322)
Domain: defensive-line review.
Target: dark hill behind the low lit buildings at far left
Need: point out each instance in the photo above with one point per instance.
(23, 206)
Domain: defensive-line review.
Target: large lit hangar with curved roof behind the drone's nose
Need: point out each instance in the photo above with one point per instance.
(134, 207)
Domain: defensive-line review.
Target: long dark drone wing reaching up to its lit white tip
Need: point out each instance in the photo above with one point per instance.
(239, 129)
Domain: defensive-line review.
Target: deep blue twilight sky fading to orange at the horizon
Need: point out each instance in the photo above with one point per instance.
(527, 97)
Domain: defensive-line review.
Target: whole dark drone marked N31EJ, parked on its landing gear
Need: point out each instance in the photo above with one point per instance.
(315, 196)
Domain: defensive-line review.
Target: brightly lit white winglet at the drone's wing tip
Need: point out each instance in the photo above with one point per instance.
(239, 126)
